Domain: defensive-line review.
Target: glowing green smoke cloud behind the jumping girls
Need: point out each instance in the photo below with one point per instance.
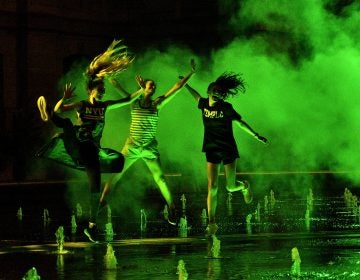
(301, 68)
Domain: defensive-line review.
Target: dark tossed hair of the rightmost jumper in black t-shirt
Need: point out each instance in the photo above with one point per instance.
(228, 84)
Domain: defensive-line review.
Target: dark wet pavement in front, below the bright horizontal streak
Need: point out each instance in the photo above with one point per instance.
(261, 256)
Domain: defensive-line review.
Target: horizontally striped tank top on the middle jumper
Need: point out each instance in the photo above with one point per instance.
(144, 123)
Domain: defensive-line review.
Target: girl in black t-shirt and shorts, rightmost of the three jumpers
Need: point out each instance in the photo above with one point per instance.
(219, 144)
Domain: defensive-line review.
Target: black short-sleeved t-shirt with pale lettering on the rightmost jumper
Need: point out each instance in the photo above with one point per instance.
(218, 131)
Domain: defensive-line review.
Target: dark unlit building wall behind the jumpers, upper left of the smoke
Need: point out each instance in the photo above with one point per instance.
(41, 39)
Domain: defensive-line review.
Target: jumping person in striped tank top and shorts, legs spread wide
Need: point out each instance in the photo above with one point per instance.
(141, 142)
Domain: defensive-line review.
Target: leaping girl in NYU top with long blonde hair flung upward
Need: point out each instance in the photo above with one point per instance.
(82, 141)
